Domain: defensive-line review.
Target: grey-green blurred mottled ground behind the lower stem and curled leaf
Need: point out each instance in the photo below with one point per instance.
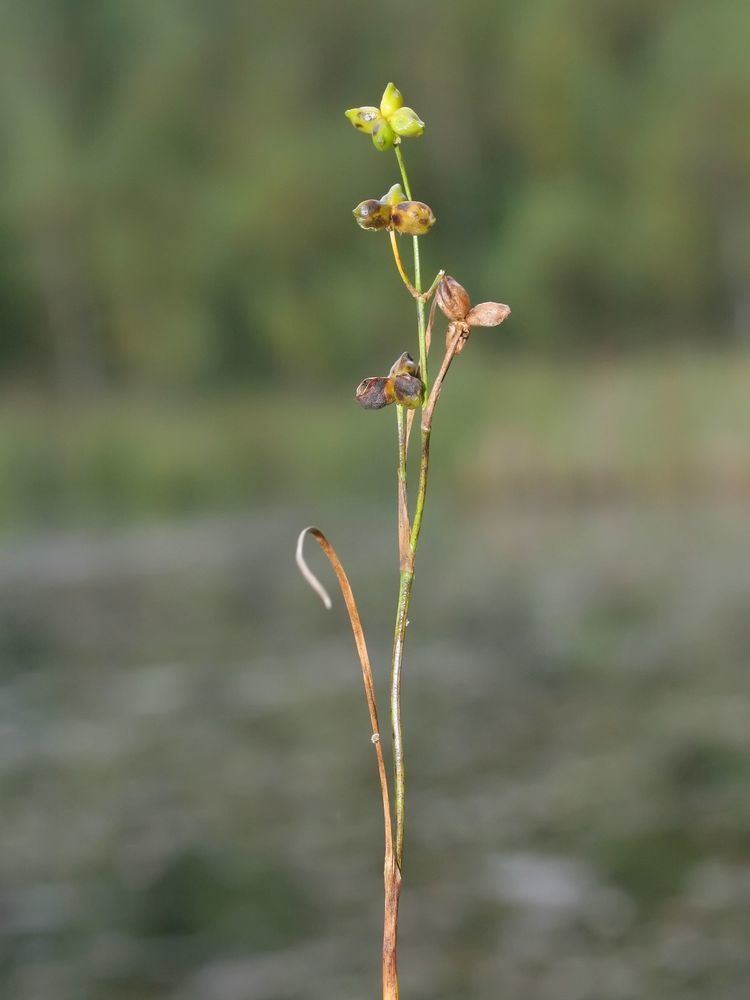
(190, 805)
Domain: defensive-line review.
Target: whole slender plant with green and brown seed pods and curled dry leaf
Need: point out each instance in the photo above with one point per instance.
(407, 386)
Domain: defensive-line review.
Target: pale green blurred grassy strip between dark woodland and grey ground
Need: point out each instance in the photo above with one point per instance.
(674, 429)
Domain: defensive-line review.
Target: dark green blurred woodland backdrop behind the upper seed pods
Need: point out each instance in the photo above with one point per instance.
(178, 177)
